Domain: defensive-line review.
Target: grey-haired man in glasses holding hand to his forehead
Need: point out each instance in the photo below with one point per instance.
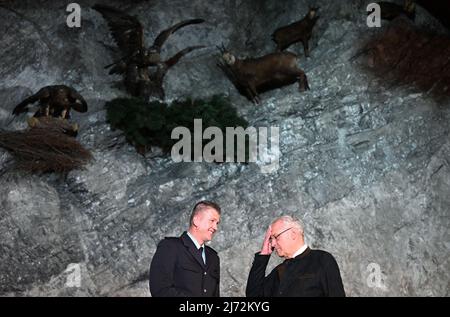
(305, 272)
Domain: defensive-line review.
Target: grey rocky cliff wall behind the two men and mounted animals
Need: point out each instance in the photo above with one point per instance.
(364, 161)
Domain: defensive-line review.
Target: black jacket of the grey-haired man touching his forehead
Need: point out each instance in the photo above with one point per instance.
(312, 273)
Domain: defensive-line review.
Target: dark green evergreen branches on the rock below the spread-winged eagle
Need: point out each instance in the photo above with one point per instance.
(148, 124)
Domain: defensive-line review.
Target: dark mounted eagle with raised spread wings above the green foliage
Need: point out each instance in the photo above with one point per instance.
(143, 68)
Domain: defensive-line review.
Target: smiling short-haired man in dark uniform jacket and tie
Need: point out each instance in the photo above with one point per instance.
(184, 266)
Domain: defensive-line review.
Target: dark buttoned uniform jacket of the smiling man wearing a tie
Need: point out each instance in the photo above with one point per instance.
(177, 269)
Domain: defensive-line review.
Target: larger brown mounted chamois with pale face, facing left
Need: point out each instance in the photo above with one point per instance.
(253, 75)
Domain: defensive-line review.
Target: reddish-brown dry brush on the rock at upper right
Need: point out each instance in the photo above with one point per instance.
(404, 55)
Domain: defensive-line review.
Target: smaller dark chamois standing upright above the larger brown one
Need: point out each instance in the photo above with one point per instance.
(299, 31)
